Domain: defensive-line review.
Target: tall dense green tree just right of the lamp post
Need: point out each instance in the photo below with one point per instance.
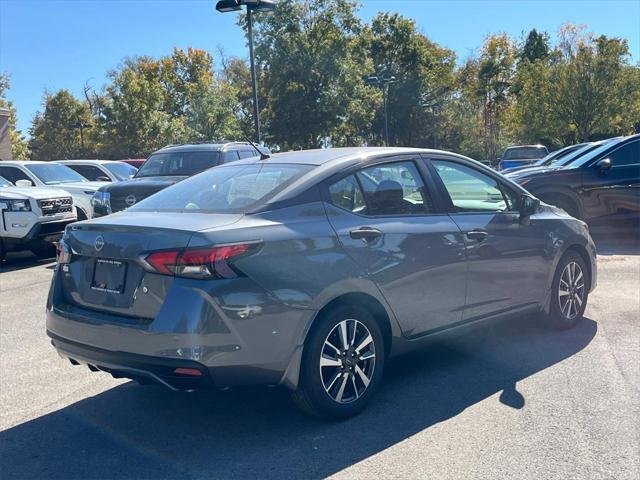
(311, 68)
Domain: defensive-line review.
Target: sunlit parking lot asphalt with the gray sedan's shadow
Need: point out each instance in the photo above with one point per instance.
(510, 400)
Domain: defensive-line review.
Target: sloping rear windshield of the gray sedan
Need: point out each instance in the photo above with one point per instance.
(226, 189)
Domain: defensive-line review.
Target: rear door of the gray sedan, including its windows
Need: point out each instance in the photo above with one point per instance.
(386, 221)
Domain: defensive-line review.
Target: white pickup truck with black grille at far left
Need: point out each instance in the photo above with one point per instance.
(32, 218)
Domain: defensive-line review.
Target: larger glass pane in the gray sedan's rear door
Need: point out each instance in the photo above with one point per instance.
(394, 189)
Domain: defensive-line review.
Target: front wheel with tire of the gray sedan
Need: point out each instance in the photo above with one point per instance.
(567, 309)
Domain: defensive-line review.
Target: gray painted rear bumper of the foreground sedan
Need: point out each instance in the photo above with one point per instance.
(194, 328)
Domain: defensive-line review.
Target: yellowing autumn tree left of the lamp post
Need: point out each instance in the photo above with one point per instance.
(175, 99)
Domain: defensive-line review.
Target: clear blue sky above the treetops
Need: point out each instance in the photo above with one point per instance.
(54, 44)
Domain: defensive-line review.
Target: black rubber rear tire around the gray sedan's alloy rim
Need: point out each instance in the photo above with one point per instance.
(310, 382)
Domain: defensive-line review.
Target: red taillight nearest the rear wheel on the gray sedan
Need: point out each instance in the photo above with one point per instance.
(203, 263)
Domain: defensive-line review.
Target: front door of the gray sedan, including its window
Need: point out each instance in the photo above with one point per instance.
(508, 265)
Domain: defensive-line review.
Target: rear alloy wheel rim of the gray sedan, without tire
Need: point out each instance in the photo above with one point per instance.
(347, 361)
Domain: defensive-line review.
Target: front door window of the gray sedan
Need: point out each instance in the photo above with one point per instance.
(473, 191)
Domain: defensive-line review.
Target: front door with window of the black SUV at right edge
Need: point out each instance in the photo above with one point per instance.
(613, 193)
